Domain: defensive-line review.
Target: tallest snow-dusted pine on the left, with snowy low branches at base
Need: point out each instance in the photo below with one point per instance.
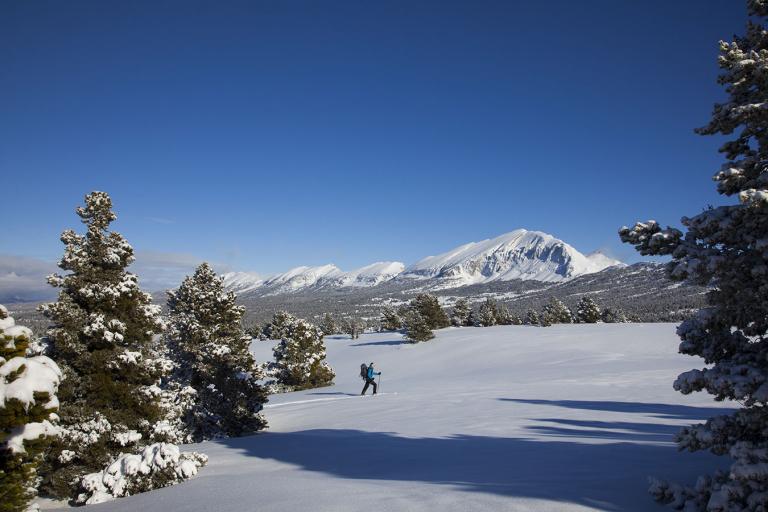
(102, 339)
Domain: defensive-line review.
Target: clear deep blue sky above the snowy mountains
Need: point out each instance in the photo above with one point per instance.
(266, 135)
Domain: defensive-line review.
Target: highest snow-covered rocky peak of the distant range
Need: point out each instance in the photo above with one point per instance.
(521, 254)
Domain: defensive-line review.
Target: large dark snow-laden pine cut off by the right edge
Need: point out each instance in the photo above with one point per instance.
(727, 248)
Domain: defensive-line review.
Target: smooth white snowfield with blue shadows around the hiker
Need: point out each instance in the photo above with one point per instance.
(565, 418)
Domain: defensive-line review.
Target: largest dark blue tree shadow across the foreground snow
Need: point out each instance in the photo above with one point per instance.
(612, 476)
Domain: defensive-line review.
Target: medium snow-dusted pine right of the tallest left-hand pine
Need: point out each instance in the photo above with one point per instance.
(211, 355)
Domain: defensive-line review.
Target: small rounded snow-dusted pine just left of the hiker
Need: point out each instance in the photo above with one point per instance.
(300, 358)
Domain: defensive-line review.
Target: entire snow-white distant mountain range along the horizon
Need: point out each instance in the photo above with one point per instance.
(519, 255)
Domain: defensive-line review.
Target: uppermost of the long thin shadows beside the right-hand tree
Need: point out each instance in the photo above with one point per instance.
(666, 411)
